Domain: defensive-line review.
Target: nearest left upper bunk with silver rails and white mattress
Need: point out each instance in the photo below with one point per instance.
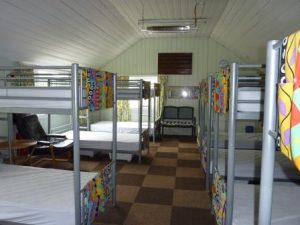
(41, 89)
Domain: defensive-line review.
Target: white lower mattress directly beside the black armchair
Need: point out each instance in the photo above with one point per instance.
(103, 141)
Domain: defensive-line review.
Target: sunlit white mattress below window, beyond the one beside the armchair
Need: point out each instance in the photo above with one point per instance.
(122, 126)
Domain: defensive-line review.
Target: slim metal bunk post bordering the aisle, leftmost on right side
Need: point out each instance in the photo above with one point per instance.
(208, 156)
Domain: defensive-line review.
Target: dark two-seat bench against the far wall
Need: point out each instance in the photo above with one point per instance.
(178, 116)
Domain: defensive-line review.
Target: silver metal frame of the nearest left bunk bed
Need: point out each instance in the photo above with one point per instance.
(75, 101)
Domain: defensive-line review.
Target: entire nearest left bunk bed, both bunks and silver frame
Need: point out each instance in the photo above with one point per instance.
(19, 94)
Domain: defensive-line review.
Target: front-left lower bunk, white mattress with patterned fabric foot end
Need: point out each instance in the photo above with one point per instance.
(31, 195)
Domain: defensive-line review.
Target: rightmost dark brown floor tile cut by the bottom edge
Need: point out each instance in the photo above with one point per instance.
(191, 216)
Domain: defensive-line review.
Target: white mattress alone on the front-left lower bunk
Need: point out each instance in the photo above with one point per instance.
(38, 196)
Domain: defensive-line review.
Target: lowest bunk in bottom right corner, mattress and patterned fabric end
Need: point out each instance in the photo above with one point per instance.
(285, 208)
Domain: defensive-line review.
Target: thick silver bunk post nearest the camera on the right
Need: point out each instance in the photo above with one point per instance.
(268, 148)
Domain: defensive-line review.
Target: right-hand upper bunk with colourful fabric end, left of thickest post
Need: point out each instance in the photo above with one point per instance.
(240, 88)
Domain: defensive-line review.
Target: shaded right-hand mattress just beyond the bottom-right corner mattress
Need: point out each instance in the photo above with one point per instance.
(248, 165)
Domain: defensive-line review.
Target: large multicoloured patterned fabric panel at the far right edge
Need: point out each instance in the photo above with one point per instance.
(289, 98)
